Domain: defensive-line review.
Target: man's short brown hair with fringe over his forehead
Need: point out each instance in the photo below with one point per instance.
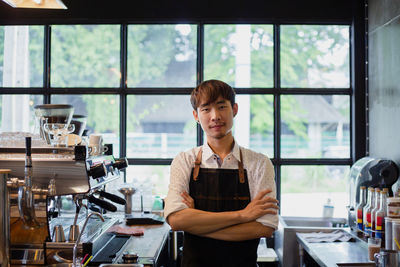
(210, 91)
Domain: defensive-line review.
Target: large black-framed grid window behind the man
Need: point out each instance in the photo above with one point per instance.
(133, 81)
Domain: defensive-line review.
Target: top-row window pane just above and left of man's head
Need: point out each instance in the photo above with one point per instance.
(162, 55)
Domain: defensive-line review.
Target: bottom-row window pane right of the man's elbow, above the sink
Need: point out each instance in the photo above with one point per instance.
(305, 189)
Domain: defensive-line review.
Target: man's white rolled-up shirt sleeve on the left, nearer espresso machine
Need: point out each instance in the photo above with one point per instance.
(179, 182)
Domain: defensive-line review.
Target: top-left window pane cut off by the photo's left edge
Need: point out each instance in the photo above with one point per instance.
(21, 56)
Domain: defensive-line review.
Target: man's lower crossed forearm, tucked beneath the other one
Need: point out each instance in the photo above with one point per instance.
(240, 232)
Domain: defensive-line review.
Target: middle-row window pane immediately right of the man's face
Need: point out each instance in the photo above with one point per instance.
(254, 123)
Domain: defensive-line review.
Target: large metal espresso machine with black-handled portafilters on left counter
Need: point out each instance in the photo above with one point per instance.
(47, 195)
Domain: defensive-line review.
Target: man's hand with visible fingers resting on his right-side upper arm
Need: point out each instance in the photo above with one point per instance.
(260, 206)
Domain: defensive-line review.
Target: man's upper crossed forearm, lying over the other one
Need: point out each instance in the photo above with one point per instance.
(201, 222)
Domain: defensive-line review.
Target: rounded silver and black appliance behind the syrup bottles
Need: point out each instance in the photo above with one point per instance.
(369, 171)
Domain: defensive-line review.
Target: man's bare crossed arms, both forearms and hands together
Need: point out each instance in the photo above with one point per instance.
(229, 225)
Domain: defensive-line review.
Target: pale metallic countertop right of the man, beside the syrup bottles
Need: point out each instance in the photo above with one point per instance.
(328, 254)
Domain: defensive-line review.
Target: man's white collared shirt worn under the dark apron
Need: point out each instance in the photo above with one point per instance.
(260, 172)
